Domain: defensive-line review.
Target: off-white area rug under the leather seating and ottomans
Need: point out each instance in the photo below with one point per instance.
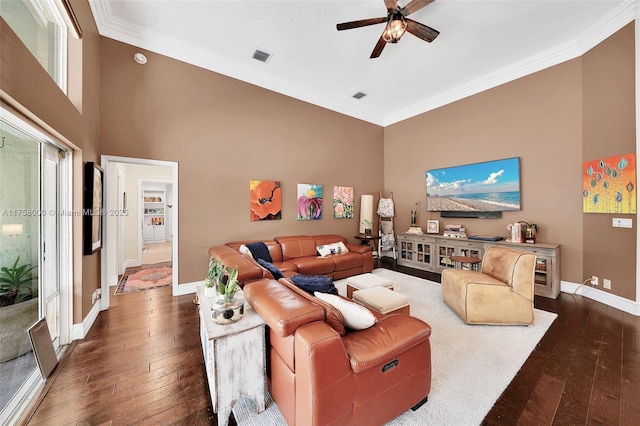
(471, 364)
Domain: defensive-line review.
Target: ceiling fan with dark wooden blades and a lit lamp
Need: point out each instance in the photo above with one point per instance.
(397, 24)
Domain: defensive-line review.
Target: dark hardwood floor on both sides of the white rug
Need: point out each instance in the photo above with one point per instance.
(141, 363)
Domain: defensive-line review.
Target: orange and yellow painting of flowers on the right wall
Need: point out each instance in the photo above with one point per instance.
(609, 185)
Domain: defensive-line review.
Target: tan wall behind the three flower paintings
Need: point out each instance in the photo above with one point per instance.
(223, 133)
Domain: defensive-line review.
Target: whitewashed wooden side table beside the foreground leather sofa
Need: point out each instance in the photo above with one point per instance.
(234, 358)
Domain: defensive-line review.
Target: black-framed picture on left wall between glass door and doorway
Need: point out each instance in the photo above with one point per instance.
(93, 205)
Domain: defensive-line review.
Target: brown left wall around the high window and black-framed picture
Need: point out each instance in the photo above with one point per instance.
(24, 84)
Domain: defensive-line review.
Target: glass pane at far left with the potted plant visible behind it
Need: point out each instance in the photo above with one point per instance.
(19, 246)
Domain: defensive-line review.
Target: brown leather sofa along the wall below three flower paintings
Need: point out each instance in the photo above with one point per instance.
(298, 255)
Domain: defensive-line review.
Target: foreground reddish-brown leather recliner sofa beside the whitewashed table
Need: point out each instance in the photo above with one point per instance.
(321, 374)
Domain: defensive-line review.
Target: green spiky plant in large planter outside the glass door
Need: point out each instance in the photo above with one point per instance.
(18, 307)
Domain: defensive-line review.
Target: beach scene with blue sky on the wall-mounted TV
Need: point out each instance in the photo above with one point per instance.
(490, 186)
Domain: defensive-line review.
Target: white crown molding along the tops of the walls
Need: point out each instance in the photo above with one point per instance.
(113, 27)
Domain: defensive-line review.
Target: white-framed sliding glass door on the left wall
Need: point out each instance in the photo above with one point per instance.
(30, 191)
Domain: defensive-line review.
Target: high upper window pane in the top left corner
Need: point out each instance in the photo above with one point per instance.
(43, 31)
